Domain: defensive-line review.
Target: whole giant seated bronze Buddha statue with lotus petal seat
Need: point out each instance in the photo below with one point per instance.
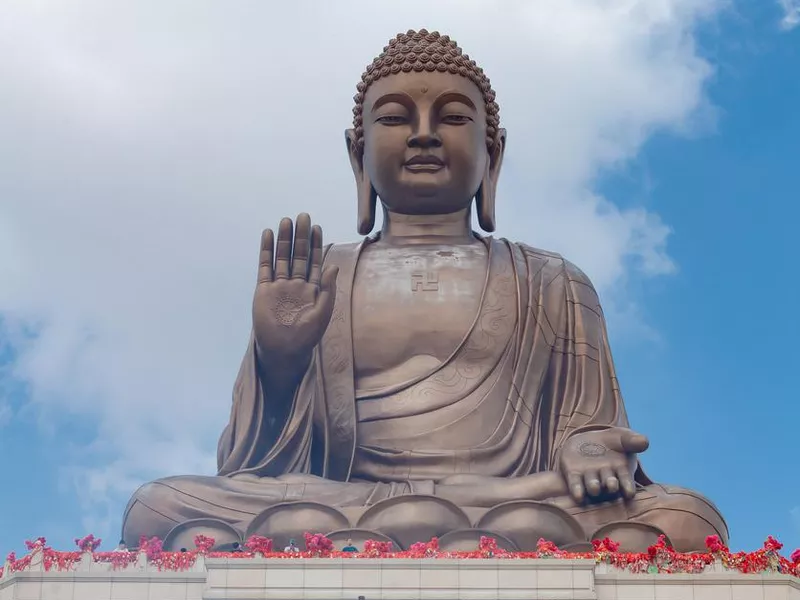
(429, 380)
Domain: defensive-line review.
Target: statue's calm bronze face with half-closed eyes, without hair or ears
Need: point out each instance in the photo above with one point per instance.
(425, 141)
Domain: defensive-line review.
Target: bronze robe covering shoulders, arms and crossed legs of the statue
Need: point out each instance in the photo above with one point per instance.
(533, 369)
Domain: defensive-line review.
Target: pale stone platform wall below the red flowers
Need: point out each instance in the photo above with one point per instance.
(391, 579)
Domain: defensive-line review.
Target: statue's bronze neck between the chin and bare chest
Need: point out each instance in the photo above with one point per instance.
(453, 228)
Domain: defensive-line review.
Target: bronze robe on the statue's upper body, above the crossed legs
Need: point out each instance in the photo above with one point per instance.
(534, 368)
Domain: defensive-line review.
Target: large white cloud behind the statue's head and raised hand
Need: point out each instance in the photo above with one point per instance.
(146, 144)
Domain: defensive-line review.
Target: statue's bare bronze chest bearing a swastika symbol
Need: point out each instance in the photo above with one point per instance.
(413, 306)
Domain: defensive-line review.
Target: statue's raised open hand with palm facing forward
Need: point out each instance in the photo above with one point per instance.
(294, 298)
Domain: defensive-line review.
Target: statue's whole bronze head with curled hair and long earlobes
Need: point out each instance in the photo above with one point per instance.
(426, 136)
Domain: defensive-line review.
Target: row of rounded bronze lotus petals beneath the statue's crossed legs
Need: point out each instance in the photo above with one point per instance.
(404, 520)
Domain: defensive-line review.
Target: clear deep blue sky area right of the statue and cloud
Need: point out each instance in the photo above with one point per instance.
(718, 393)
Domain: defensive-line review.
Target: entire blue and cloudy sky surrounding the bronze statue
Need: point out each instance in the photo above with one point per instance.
(145, 145)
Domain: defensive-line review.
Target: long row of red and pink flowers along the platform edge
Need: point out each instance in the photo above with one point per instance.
(659, 558)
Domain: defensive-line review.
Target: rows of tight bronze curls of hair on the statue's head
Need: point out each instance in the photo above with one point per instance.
(421, 51)
